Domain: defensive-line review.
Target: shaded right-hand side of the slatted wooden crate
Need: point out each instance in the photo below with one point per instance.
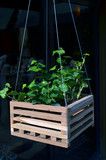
(81, 116)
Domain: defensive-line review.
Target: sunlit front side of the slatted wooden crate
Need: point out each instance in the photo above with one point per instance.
(43, 123)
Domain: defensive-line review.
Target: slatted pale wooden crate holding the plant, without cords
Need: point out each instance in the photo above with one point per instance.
(50, 124)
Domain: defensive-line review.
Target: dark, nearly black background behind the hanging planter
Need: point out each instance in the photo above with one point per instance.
(41, 18)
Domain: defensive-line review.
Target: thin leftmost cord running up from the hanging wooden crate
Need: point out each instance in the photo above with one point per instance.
(22, 45)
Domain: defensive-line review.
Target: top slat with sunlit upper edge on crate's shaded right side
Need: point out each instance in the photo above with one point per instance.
(80, 104)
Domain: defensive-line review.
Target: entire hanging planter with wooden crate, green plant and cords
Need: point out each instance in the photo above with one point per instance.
(37, 112)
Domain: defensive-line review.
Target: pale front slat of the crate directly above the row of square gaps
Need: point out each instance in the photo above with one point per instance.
(38, 130)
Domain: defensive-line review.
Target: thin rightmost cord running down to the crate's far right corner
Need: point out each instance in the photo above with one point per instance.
(78, 39)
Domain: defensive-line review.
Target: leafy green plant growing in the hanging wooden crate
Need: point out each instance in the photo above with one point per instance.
(47, 87)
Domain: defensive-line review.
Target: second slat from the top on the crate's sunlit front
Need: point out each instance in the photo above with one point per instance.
(37, 114)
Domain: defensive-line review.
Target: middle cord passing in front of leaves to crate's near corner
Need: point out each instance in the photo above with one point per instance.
(58, 43)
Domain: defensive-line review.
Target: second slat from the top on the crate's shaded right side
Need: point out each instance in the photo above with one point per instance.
(81, 115)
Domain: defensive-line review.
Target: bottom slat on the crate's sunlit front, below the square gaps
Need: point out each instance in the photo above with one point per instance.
(38, 139)
